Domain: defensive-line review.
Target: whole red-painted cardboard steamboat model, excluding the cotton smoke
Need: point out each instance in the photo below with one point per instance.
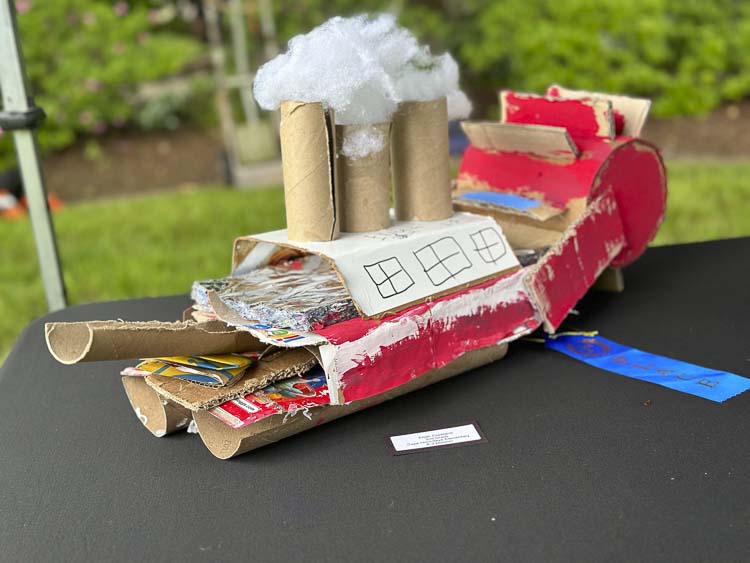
(557, 196)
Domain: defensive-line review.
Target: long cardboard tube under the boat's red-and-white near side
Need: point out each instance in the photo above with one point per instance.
(225, 442)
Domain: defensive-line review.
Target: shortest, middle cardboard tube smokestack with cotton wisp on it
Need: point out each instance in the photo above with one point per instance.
(364, 183)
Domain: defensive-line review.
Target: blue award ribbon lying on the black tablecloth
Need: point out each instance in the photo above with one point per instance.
(717, 386)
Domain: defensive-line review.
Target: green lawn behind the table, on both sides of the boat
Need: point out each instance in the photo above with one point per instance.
(158, 244)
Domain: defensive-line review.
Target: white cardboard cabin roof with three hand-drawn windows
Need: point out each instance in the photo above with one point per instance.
(408, 263)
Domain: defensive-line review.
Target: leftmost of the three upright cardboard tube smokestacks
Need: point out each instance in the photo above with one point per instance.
(308, 147)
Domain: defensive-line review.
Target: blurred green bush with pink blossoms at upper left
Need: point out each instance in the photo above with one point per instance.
(87, 59)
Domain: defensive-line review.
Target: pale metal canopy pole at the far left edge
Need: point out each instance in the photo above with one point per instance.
(21, 116)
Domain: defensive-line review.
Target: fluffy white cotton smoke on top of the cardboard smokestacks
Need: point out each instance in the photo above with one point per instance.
(361, 68)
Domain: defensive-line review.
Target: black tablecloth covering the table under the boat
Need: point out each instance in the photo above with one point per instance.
(580, 464)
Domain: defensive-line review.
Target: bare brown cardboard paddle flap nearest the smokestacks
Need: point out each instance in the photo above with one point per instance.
(542, 141)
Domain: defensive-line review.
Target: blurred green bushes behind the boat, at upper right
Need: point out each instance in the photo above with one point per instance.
(689, 56)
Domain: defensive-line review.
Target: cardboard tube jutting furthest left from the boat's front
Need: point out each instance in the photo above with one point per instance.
(92, 341)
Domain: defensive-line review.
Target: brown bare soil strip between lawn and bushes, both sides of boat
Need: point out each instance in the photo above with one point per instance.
(140, 162)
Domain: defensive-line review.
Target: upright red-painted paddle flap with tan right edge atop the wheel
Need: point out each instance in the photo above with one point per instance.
(584, 118)
